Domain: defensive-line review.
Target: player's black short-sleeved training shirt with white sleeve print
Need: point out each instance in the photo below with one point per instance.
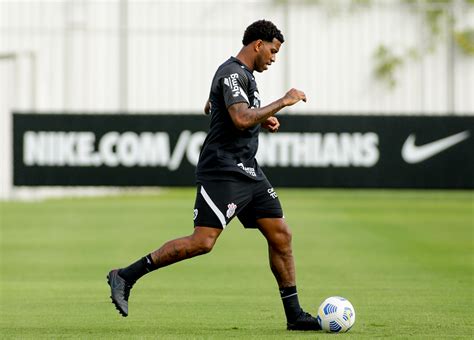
(228, 150)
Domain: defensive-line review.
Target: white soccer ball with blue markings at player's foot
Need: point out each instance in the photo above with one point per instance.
(336, 315)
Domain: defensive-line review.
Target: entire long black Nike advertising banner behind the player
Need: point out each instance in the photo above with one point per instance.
(308, 151)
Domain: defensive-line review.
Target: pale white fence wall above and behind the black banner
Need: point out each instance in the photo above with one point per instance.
(161, 55)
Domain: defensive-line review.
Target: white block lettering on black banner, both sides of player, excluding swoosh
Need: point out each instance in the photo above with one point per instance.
(153, 149)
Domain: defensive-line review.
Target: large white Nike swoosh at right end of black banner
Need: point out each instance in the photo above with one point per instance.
(415, 154)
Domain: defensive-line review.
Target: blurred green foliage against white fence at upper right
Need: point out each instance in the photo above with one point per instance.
(441, 19)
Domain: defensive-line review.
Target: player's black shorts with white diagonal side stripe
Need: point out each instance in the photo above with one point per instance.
(219, 201)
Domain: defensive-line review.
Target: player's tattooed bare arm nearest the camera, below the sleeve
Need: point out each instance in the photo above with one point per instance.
(245, 117)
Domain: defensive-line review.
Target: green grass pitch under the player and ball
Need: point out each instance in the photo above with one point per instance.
(403, 258)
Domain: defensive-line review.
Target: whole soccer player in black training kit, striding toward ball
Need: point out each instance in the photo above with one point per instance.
(229, 180)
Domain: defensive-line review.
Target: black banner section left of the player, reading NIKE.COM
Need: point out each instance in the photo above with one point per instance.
(106, 150)
